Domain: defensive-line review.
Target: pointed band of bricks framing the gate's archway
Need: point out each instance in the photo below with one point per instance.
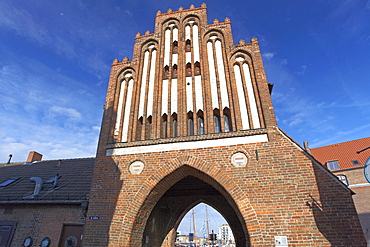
(175, 170)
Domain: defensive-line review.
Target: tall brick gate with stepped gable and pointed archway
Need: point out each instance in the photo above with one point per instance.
(190, 119)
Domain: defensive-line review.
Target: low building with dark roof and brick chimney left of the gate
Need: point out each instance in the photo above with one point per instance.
(44, 203)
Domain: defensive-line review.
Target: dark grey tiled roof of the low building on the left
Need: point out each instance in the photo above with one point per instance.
(73, 185)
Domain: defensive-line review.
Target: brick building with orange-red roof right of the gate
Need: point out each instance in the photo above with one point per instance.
(346, 160)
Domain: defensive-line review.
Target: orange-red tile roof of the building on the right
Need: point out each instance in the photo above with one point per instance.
(344, 153)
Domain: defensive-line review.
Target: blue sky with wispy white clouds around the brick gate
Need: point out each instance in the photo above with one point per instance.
(56, 56)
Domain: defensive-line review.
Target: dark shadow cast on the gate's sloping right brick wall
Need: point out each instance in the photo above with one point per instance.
(334, 211)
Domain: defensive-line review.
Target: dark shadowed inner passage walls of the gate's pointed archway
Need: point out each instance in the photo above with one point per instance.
(169, 205)
